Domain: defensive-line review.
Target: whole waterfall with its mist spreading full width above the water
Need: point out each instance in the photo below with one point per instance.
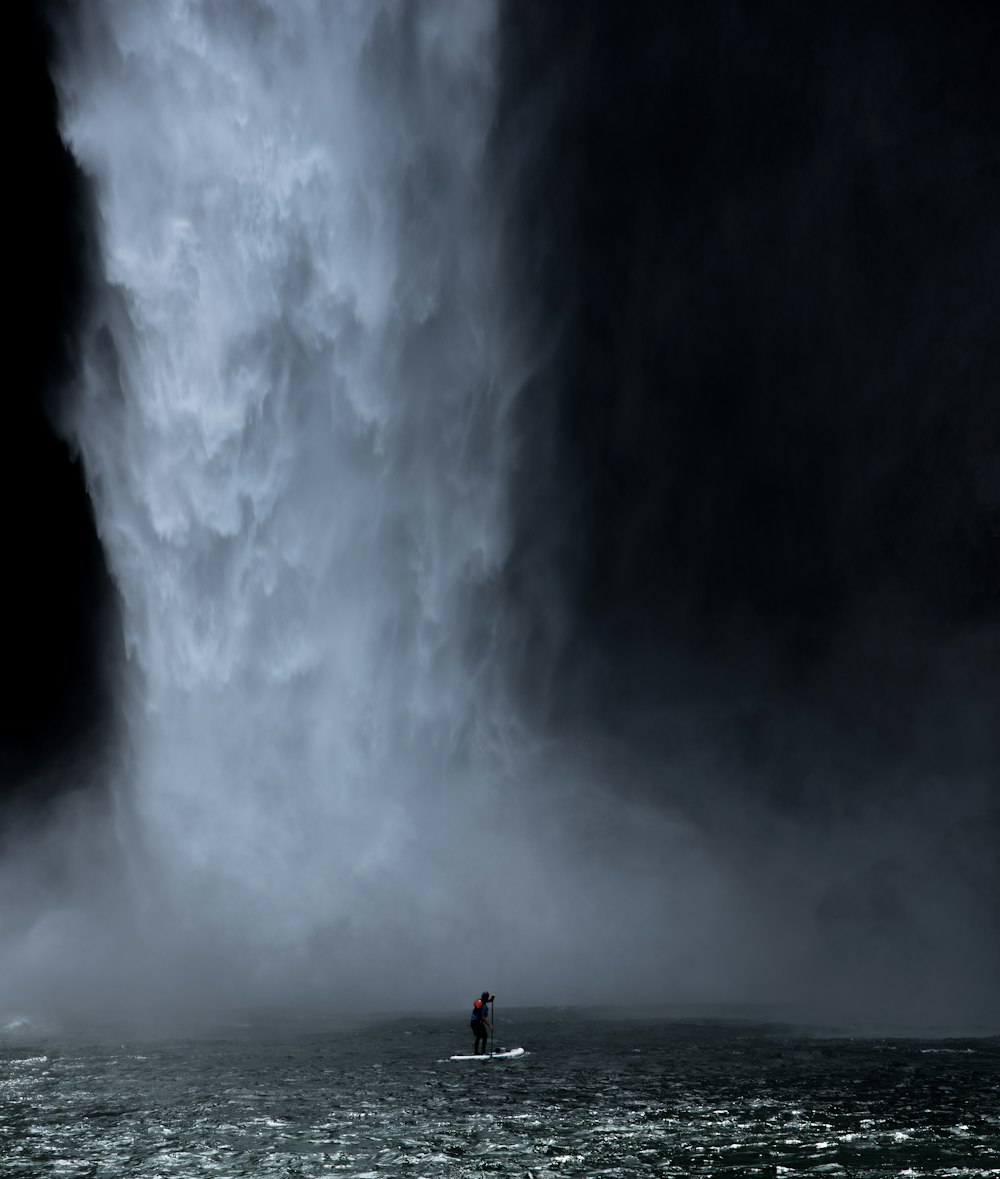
(319, 396)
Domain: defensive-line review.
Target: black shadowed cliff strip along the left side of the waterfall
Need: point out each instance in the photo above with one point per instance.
(58, 603)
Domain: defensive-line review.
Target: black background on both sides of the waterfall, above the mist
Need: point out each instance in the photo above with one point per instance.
(754, 252)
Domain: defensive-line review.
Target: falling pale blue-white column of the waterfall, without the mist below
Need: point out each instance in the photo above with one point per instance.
(292, 424)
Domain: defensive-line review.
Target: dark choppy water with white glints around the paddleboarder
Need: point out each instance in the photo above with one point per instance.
(594, 1097)
